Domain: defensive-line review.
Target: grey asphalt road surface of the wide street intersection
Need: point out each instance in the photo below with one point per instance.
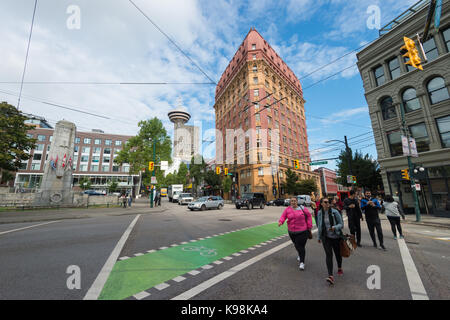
(34, 260)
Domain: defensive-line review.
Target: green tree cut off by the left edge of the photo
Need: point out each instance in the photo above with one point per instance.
(14, 142)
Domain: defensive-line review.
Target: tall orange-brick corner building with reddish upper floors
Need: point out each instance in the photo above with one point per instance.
(259, 144)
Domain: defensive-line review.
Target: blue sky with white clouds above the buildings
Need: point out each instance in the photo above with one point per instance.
(97, 44)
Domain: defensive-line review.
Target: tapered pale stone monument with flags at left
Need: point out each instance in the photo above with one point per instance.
(56, 186)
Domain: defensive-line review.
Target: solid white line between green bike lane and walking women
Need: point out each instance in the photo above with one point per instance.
(224, 275)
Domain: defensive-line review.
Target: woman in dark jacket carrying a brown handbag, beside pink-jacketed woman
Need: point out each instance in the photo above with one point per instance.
(329, 224)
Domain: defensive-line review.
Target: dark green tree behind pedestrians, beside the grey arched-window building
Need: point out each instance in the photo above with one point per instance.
(366, 170)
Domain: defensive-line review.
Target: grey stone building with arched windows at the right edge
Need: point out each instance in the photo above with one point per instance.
(390, 85)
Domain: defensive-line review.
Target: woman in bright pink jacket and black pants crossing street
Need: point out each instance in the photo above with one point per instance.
(299, 223)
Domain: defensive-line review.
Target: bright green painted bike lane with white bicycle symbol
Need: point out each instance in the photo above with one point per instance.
(134, 275)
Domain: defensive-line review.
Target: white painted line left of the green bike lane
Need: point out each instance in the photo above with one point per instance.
(97, 287)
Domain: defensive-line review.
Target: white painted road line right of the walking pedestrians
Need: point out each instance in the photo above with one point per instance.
(415, 283)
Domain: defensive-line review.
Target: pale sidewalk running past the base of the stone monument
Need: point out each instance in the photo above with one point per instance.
(139, 207)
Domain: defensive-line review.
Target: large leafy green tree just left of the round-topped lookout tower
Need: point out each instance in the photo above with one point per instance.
(138, 151)
